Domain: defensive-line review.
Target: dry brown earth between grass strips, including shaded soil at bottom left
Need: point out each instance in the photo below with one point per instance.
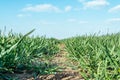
(61, 60)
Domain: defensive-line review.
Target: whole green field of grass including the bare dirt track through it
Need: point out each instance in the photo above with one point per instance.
(82, 57)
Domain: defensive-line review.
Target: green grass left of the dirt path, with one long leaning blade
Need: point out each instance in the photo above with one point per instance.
(20, 52)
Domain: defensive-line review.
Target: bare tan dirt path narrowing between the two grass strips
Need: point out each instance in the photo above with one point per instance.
(67, 72)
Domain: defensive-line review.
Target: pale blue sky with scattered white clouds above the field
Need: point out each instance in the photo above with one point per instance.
(60, 18)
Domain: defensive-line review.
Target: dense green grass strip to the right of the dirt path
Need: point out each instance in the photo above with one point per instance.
(97, 56)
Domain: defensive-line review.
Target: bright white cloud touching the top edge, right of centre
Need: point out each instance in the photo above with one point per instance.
(95, 4)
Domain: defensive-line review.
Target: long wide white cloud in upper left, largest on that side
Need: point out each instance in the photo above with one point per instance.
(42, 8)
